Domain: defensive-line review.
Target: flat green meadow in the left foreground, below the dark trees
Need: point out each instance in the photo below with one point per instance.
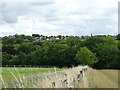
(10, 74)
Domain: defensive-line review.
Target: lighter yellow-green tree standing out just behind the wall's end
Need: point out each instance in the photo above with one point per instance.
(86, 57)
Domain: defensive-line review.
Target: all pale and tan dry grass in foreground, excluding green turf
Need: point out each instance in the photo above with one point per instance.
(68, 78)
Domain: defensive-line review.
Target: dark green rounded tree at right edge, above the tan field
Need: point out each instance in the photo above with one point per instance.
(108, 57)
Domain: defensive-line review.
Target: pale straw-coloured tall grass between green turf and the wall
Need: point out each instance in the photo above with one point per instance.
(66, 78)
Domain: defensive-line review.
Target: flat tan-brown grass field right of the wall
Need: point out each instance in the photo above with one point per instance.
(103, 78)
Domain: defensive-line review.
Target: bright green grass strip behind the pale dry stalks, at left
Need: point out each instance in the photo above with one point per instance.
(7, 73)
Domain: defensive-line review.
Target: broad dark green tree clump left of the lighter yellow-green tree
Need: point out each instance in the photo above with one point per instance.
(54, 55)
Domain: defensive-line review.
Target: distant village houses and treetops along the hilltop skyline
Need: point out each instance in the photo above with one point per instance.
(42, 38)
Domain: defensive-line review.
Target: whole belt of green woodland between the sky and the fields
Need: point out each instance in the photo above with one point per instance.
(99, 52)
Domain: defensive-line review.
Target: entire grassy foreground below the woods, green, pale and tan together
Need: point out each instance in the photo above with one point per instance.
(55, 77)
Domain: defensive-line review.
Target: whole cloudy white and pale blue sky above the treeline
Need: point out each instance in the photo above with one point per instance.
(59, 17)
